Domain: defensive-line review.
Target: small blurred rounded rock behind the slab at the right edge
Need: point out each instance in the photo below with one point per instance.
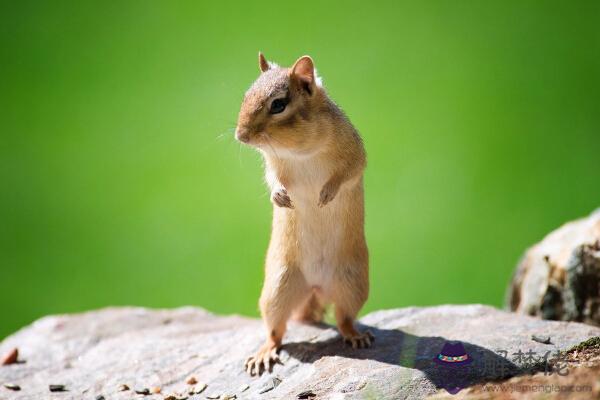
(559, 278)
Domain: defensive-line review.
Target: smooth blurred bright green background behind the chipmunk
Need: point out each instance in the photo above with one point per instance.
(122, 184)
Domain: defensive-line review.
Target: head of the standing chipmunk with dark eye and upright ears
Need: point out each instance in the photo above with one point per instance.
(279, 109)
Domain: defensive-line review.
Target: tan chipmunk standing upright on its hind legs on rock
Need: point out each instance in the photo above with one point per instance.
(314, 161)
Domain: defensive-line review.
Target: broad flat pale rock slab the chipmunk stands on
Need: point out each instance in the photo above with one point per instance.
(95, 352)
